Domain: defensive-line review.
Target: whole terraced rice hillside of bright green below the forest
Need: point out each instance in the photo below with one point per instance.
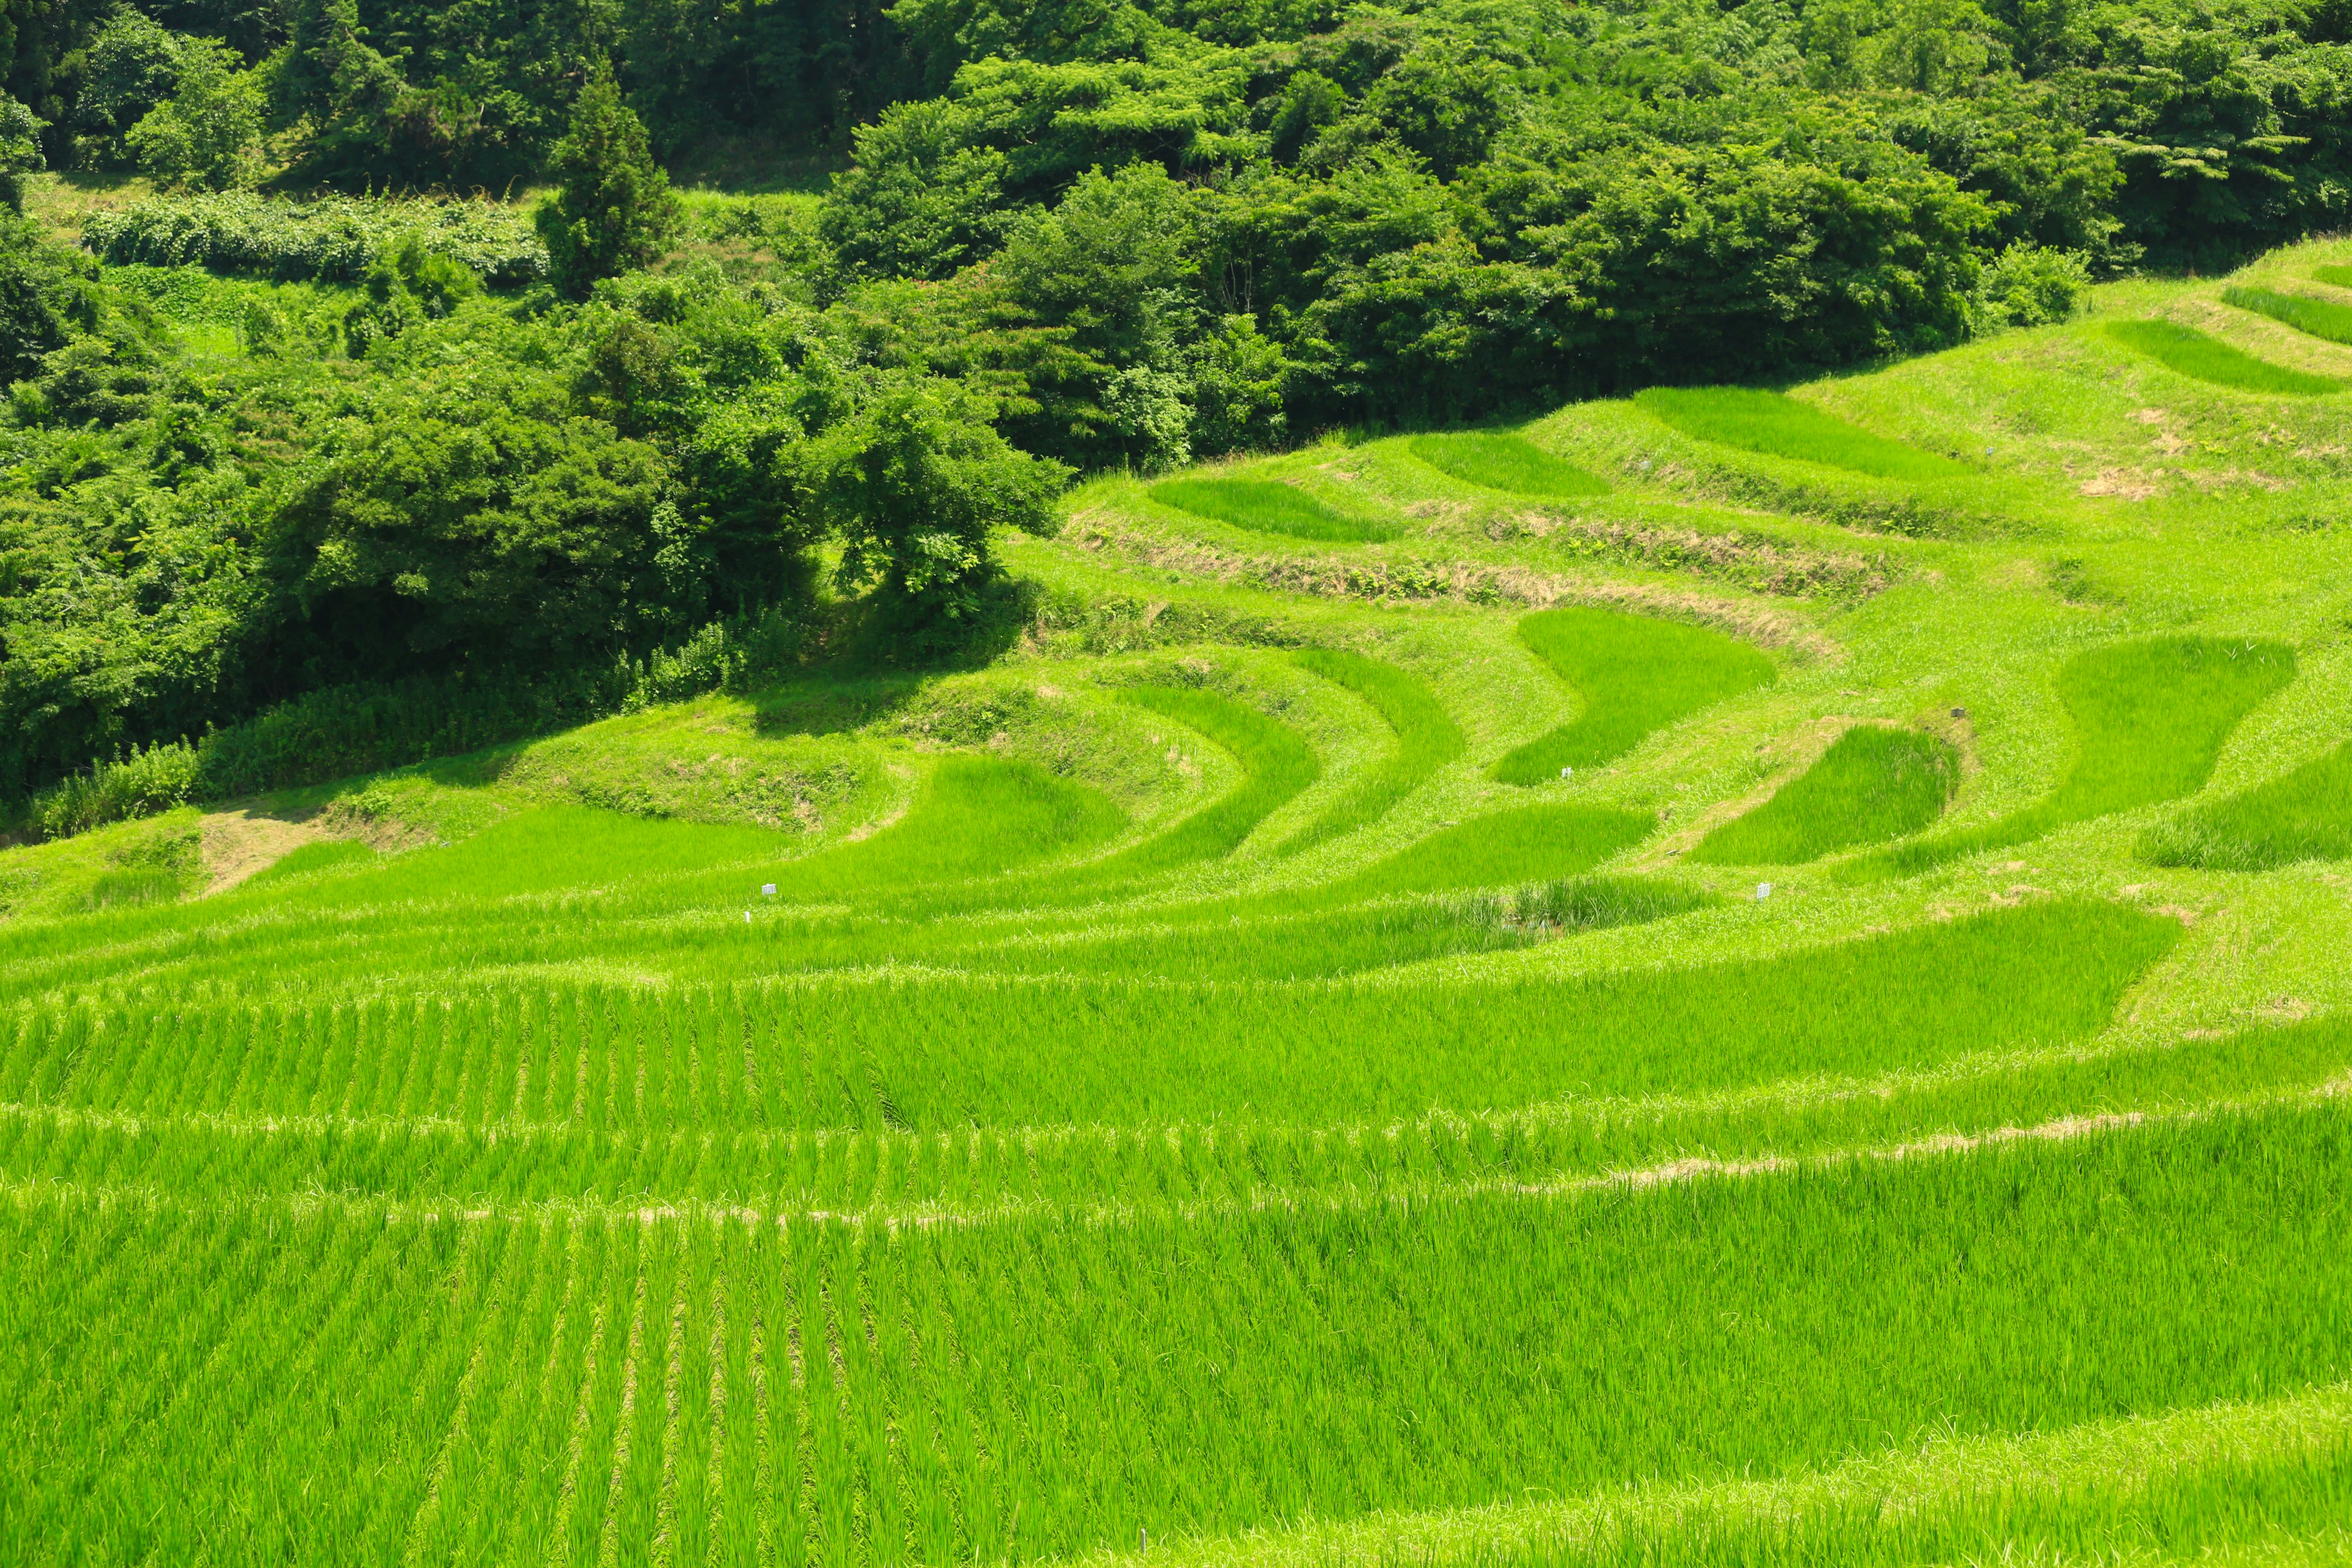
(1777, 1007)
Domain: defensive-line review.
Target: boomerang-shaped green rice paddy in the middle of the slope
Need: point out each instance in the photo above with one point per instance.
(1636, 676)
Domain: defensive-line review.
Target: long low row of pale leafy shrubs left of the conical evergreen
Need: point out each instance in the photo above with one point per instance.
(330, 241)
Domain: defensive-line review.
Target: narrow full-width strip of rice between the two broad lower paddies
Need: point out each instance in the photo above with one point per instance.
(1234, 1162)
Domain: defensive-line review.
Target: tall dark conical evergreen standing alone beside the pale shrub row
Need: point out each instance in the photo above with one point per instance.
(615, 208)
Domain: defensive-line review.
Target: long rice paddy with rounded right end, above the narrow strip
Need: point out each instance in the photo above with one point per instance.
(942, 1050)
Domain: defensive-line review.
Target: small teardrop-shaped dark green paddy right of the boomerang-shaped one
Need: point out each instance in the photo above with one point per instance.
(1873, 784)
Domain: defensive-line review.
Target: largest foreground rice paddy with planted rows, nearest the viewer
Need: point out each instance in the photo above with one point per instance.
(1041, 1388)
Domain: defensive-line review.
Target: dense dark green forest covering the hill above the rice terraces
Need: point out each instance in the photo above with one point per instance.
(507, 415)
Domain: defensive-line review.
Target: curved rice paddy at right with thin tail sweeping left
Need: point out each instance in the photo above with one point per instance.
(2151, 721)
